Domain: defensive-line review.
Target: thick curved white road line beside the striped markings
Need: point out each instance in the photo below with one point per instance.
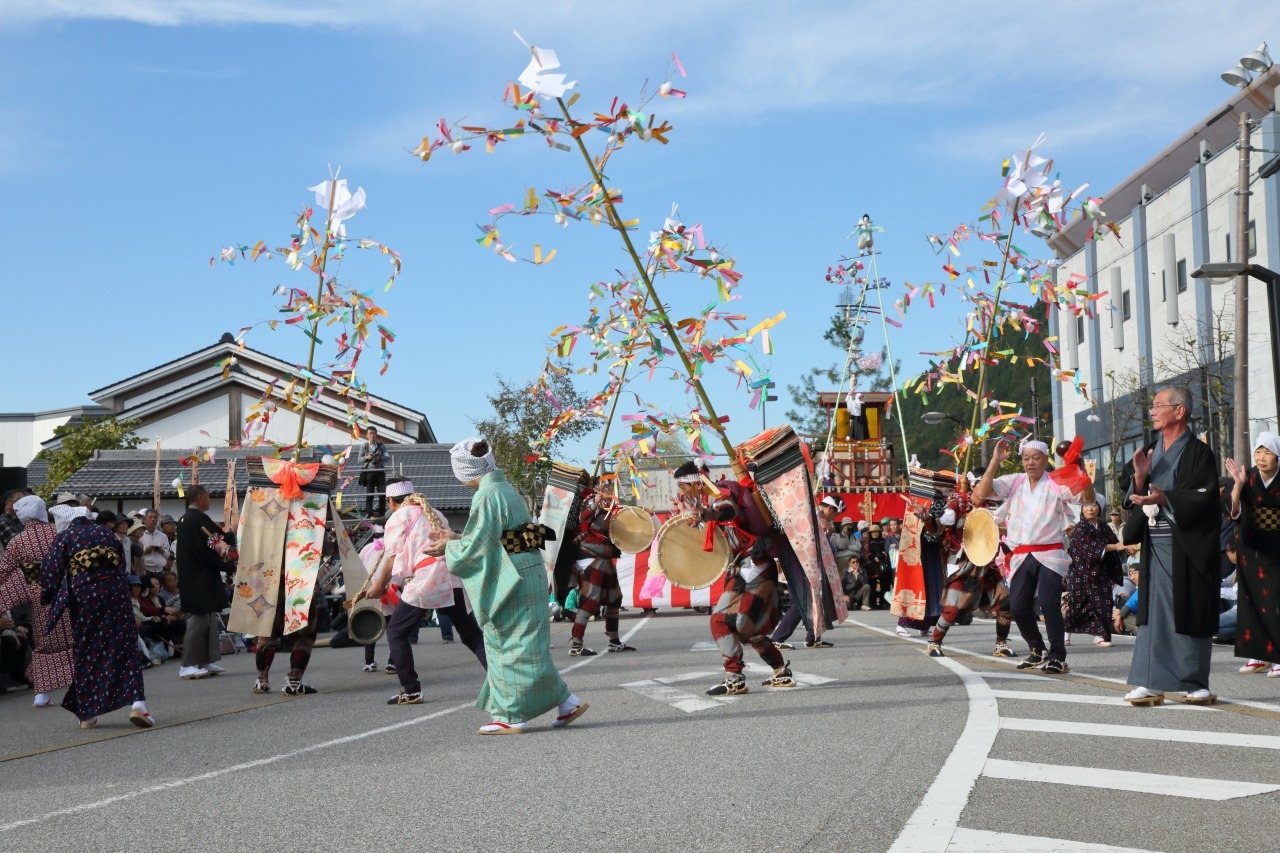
(935, 820)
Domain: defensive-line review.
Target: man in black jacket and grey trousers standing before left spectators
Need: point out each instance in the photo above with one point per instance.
(200, 581)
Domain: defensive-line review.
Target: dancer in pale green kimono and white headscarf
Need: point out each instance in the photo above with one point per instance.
(497, 558)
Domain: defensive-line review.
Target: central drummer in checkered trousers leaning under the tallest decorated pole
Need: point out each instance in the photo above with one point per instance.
(748, 609)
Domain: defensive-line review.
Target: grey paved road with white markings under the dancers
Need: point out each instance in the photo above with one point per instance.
(880, 749)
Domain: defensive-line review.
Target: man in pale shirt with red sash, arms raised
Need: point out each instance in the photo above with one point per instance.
(1036, 514)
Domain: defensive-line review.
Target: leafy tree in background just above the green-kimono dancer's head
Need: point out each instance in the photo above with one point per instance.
(522, 414)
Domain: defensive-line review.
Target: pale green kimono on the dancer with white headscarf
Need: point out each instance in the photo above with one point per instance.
(509, 597)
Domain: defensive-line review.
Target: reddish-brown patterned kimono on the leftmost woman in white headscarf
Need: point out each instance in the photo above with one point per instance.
(20, 585)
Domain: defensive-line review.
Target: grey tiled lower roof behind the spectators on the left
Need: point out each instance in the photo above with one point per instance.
(131, 475)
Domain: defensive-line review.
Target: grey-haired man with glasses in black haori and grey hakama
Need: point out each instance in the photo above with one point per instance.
(1177, 519)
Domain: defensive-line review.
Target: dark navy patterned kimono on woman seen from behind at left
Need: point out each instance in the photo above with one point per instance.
(84, 577)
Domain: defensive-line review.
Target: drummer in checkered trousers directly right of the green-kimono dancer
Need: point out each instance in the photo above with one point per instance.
(597, 571)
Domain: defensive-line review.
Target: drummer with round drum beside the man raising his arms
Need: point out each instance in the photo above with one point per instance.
(977, 585)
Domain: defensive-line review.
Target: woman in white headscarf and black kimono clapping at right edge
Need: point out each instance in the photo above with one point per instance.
(1256, 507)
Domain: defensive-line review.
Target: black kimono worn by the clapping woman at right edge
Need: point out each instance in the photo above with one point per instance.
(1258, 633)
